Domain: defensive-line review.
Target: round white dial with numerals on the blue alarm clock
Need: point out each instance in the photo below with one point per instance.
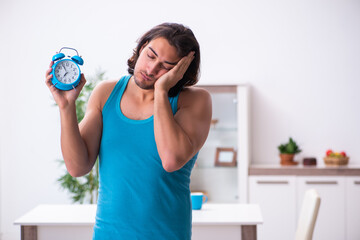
(66, 71)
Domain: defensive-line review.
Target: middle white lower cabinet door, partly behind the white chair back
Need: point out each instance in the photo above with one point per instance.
(330, 223)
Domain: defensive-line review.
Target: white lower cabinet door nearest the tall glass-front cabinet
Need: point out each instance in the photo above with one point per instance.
(277, 199)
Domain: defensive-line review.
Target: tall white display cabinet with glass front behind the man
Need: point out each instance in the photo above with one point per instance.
(231, 111)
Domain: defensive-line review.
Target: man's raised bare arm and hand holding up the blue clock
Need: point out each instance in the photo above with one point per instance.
(79, 142)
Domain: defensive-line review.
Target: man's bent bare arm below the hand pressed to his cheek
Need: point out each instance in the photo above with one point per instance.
(180, 137)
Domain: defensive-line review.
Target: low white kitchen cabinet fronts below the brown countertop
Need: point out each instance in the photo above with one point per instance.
(280, 198)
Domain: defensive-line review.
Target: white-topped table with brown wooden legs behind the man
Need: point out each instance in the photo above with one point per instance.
(214, 221)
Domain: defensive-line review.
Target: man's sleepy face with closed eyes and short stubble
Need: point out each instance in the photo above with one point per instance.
(156, 58)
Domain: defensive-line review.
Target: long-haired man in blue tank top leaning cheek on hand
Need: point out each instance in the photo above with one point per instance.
(147, 129)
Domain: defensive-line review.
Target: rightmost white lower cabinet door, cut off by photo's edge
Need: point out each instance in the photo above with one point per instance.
(352, 208)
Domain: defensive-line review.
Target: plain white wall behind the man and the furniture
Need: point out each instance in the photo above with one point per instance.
(301, 59)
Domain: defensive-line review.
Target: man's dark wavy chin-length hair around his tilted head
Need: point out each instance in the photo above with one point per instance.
(183, 39)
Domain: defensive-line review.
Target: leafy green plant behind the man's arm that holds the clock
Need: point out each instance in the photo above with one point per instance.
(83, 189)
